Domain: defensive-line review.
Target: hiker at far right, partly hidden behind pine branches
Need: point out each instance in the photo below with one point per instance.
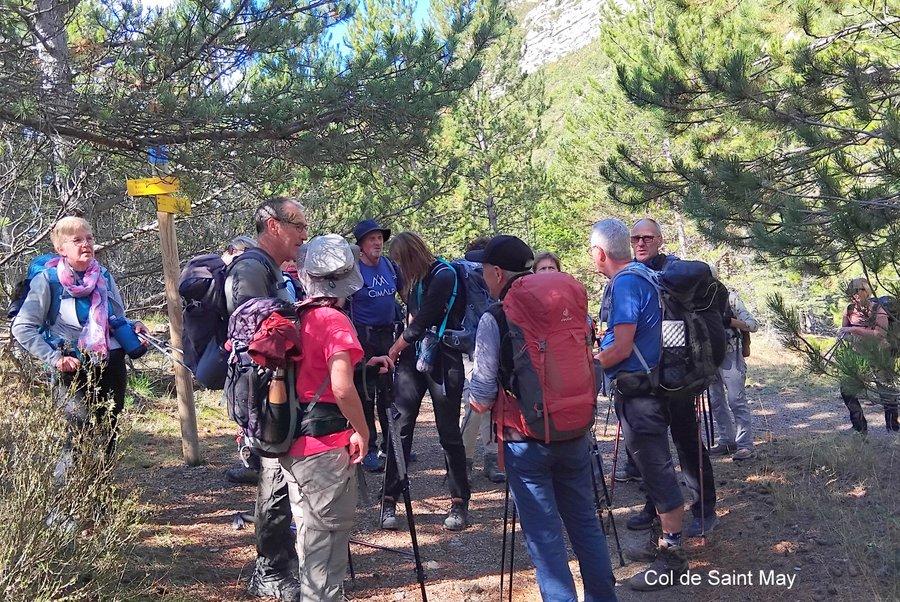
(866, 319)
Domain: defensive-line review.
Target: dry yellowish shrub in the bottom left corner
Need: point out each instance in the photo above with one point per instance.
(69, 542)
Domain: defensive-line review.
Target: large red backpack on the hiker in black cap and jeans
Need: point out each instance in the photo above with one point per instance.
(547, 381)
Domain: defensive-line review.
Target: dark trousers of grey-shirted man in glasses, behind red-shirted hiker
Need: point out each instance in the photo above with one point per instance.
(274, 539)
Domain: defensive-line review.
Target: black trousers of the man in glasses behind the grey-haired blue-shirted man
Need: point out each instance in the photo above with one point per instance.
(683, 425)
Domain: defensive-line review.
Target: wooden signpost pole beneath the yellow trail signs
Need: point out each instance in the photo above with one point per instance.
(184, 386)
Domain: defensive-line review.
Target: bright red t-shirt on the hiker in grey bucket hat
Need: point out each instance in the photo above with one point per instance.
(325, 331)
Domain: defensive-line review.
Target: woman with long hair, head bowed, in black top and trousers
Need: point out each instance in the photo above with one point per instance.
(432, 291)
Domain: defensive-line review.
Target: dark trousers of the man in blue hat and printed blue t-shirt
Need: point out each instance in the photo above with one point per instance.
(375, 393)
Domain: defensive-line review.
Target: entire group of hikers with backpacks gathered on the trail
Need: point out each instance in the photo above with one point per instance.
(321, 344)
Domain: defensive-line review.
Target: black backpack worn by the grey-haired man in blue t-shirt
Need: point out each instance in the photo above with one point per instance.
(693, 335)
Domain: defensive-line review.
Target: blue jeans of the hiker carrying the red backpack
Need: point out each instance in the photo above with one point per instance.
(549, 482)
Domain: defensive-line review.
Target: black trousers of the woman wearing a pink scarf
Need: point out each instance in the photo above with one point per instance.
(93, 397)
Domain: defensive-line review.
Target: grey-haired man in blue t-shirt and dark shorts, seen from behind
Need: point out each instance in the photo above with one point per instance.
(629, 353)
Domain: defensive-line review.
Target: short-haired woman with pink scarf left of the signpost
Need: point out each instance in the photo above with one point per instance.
(87, 362)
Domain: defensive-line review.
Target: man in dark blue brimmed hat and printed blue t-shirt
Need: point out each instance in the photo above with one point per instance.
(373, 310)
